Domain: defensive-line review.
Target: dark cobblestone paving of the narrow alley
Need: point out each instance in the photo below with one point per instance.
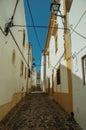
(38, 111)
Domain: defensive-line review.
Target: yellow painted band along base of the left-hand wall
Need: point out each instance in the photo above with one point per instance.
(4, 109)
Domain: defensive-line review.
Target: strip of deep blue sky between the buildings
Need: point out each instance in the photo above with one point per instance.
(37, 14)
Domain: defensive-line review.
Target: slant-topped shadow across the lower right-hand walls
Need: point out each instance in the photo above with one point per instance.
(71, 98)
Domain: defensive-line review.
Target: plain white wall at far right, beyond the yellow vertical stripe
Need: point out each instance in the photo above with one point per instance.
(77, 16)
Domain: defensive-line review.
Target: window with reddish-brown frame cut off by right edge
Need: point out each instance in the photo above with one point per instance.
(84, 69)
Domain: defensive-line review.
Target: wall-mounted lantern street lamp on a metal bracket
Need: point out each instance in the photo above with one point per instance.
(55, 8)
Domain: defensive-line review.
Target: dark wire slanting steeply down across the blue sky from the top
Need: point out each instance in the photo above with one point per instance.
(34, 25)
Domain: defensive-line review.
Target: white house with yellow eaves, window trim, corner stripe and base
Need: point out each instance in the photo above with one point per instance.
(57, 67)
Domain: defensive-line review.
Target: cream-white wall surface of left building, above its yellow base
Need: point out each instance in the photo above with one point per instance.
(10, 79)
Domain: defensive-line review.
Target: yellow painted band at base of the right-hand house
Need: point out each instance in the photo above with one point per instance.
(64, 100)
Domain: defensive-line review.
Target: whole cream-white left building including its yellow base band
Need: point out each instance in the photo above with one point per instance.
(13, 55)
